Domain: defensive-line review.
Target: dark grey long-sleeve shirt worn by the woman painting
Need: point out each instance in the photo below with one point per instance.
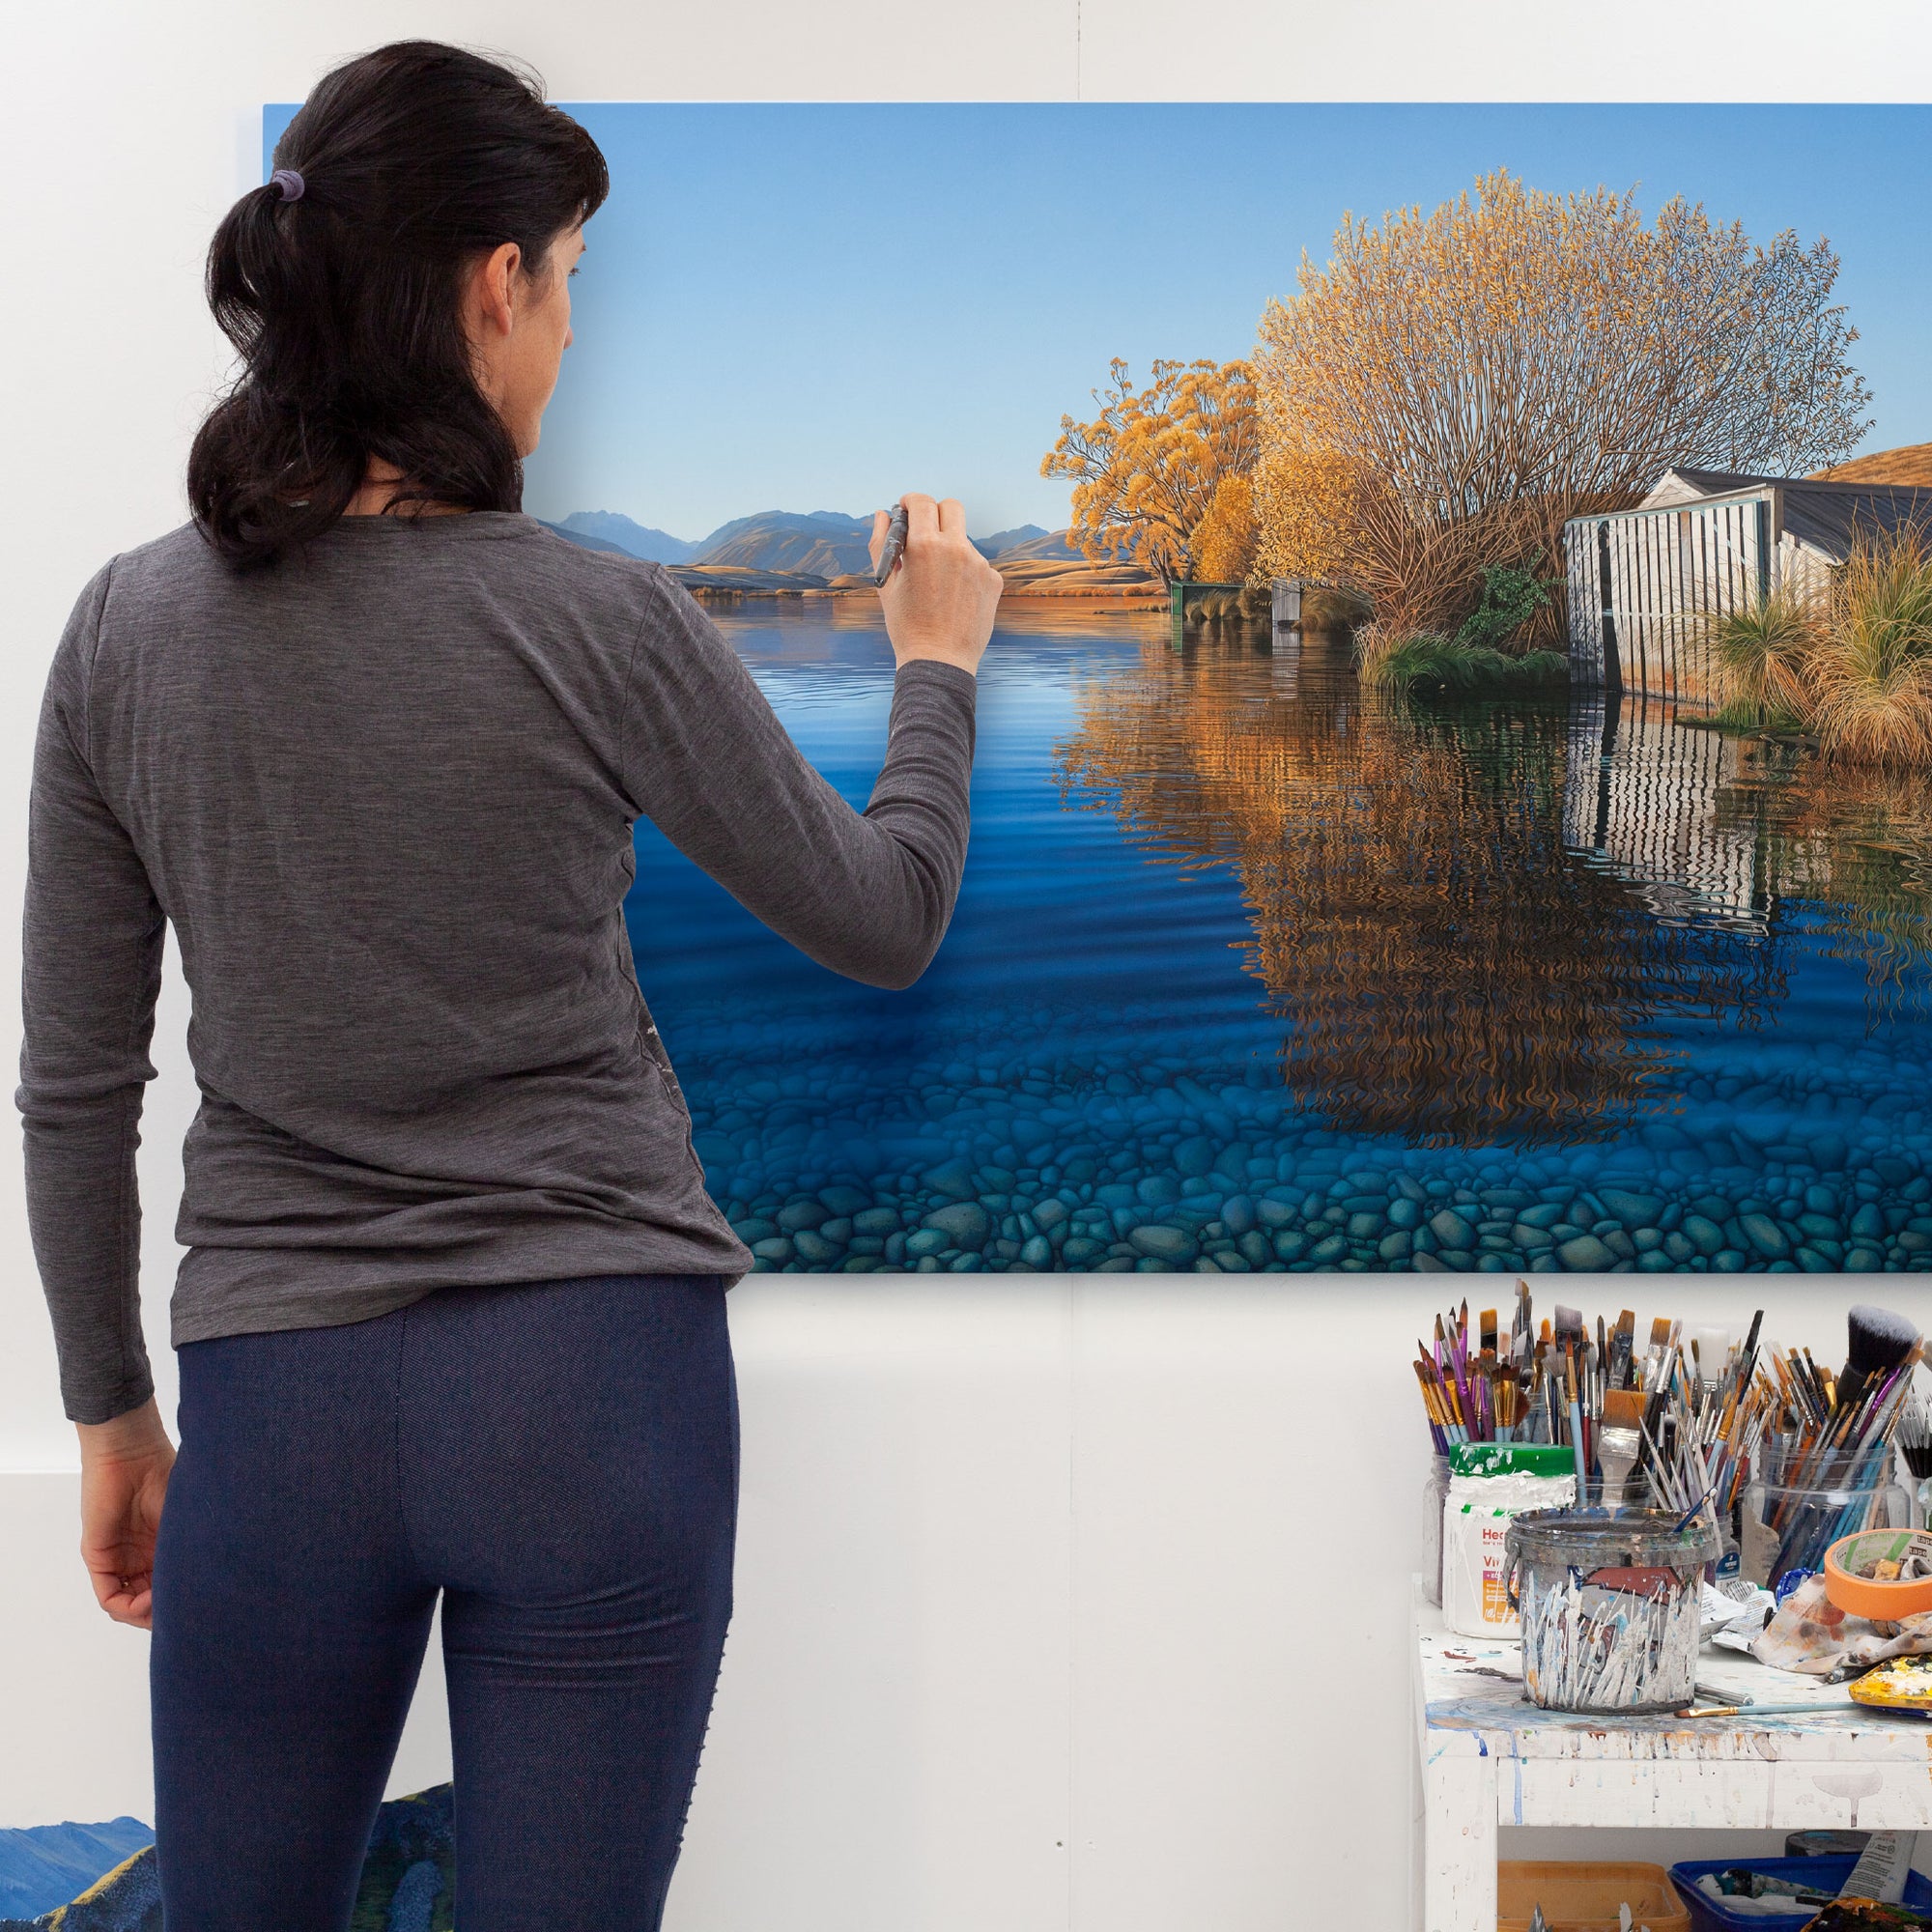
(385, 795)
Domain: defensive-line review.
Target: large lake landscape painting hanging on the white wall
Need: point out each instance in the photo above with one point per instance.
(1326, 909)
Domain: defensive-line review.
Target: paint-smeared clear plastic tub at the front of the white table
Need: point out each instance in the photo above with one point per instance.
(1610, 1608)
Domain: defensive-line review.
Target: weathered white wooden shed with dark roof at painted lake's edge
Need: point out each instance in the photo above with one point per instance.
(1647, 582)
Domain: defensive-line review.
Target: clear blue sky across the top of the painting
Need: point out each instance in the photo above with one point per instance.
(814, 308)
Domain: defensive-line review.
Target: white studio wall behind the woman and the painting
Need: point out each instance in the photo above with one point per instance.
(1064, 1603)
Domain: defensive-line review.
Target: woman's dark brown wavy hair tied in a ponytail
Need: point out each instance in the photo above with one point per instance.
(414, 161)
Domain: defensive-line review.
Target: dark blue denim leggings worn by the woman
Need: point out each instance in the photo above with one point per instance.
(559, 1460)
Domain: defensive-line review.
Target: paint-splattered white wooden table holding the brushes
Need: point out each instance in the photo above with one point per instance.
(1491, 1759)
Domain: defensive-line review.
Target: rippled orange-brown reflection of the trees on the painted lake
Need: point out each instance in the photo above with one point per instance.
(1446, 967)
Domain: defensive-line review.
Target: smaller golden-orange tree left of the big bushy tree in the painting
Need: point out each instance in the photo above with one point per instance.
(1149, 467)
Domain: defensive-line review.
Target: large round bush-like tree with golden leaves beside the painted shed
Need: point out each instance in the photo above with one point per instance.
(1477, 376)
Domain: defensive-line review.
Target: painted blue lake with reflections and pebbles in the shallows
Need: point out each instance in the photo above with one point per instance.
(1259, 971)
